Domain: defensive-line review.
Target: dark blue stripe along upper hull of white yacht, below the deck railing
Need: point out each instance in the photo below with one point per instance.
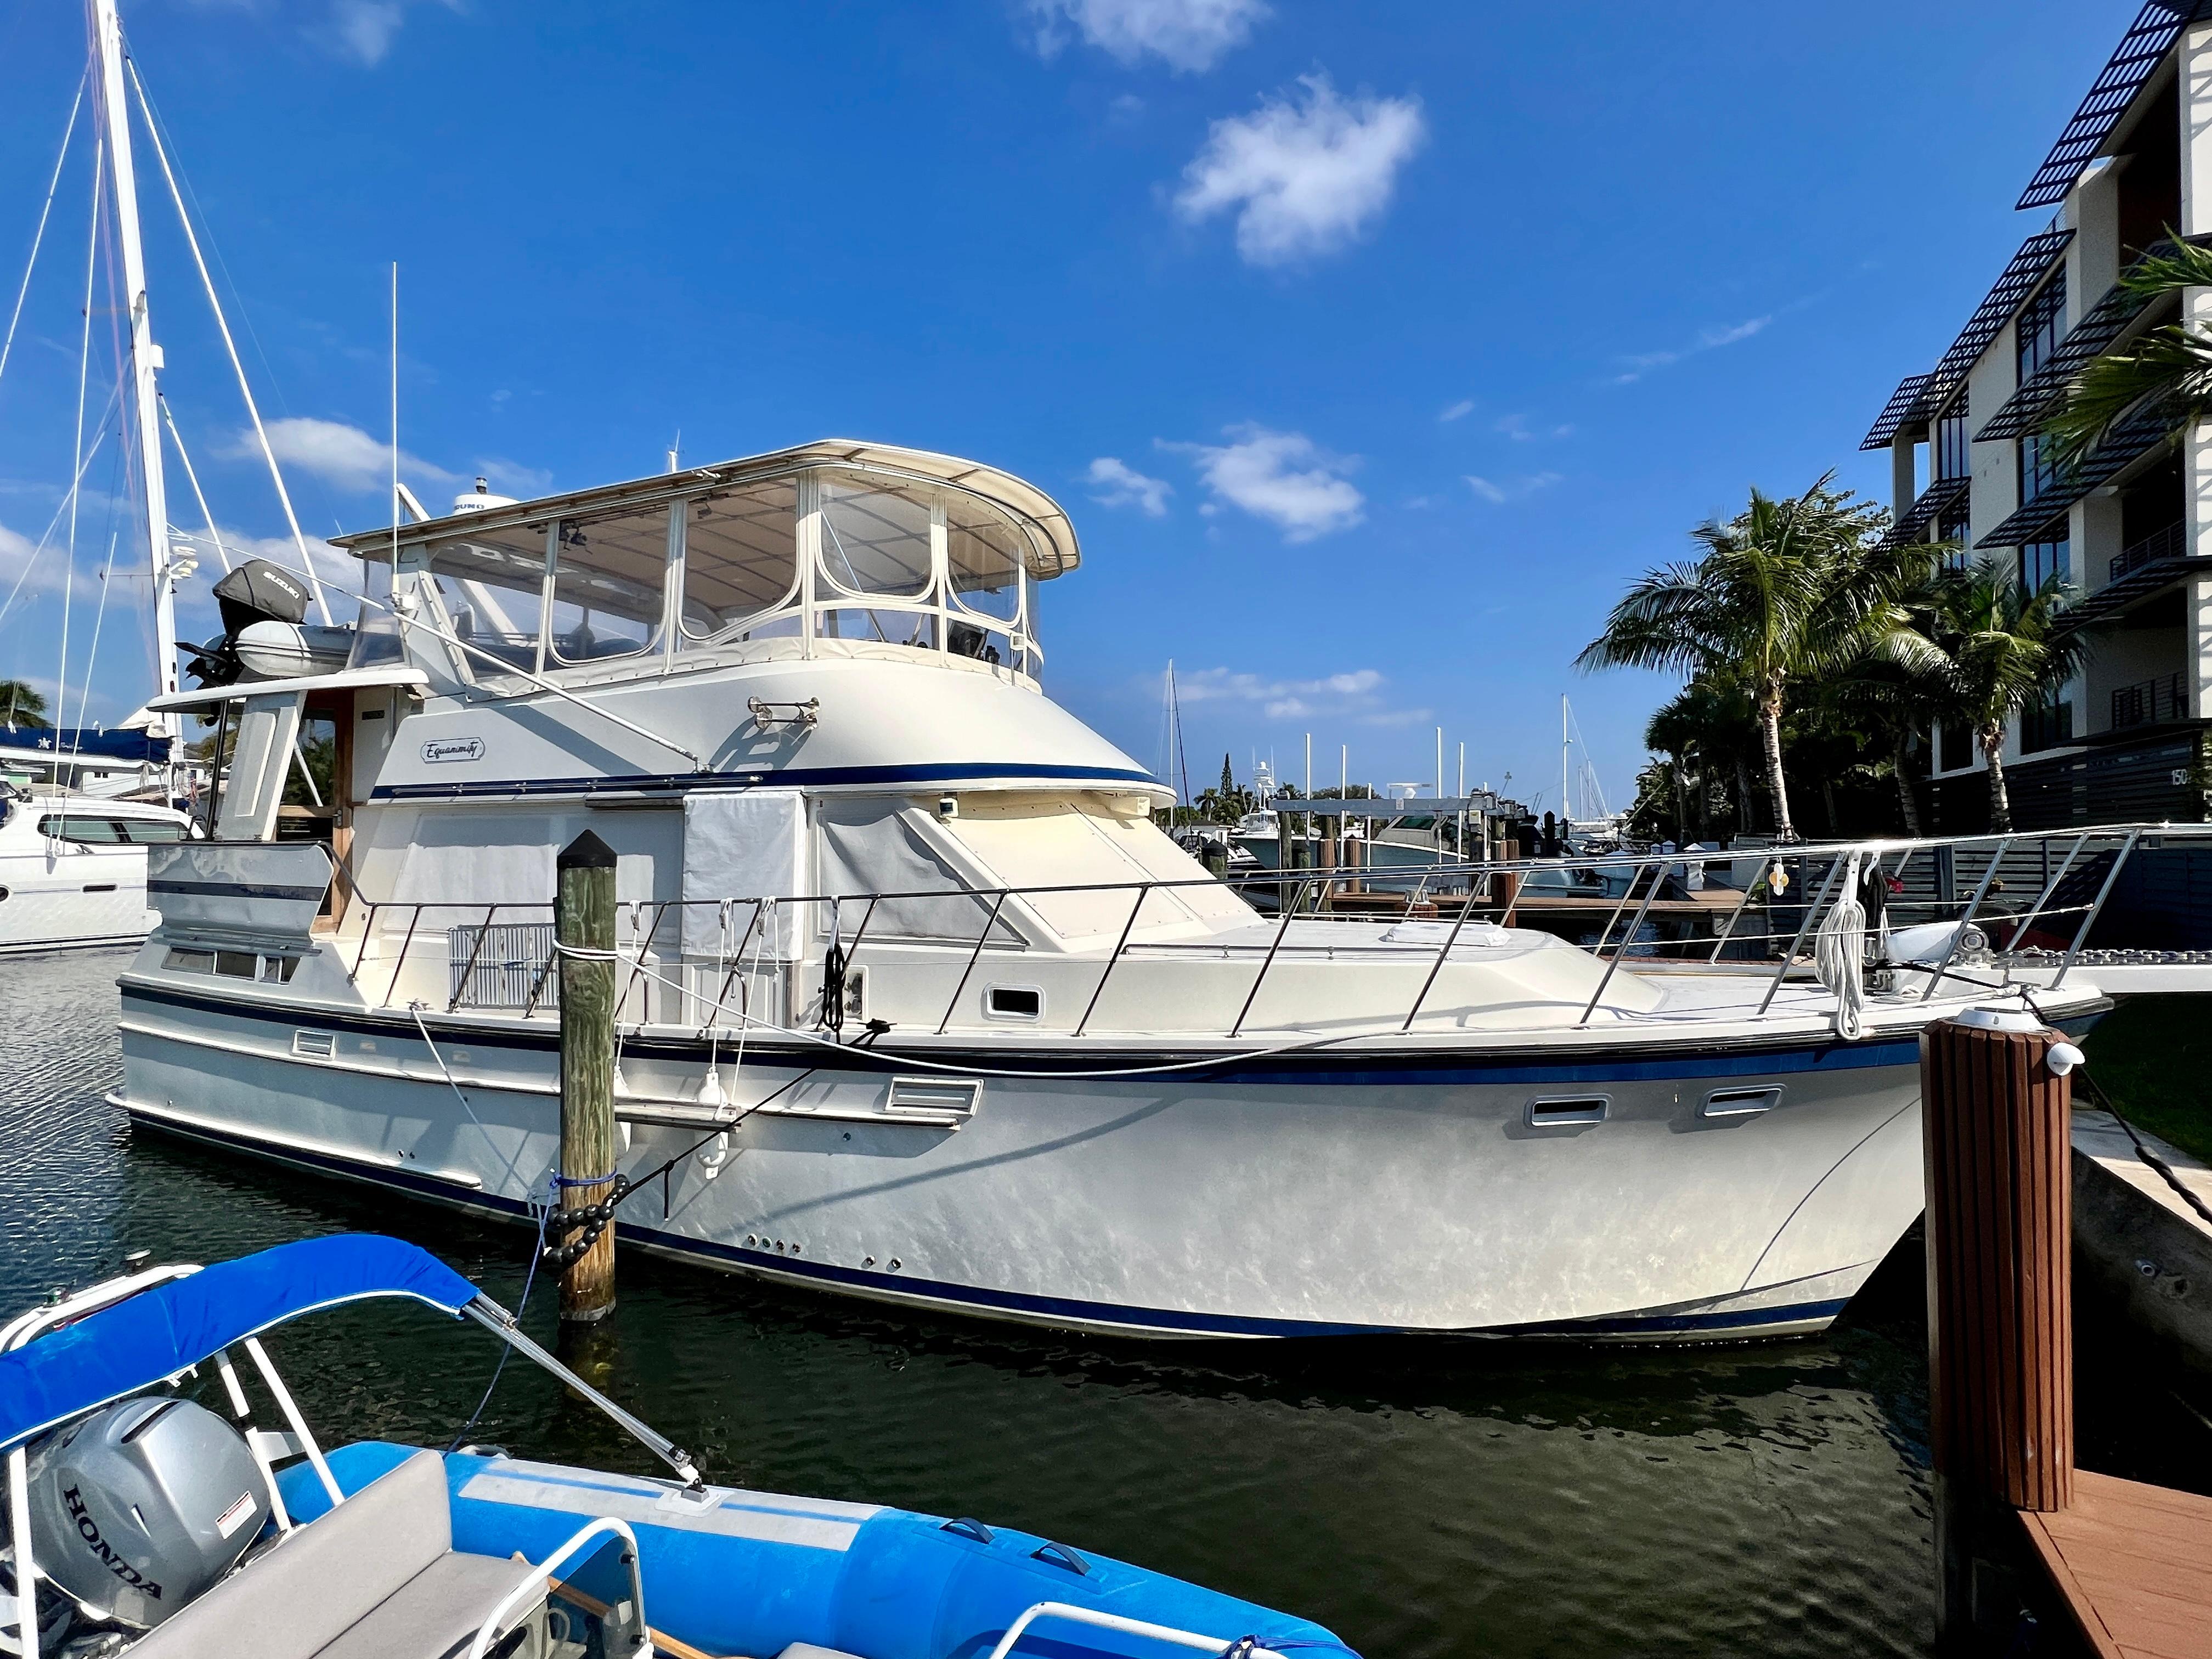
(1319, 1067)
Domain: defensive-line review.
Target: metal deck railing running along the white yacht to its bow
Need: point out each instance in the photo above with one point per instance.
(1762, 912)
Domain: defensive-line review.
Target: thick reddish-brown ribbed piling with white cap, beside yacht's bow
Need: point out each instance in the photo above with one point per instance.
(2001, 1282)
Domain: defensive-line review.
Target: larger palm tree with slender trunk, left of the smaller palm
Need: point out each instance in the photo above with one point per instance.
(1786, 592)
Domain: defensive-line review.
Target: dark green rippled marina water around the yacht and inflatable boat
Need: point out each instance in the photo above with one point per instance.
(1421, 1499)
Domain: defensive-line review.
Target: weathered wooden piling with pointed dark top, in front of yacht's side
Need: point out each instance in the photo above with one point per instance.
(585, 926)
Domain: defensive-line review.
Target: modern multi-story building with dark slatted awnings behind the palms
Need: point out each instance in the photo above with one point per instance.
(2131, 528)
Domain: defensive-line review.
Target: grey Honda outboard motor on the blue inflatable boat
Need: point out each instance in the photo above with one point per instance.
(143, 1507)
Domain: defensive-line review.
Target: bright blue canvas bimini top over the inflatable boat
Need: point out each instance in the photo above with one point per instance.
(163, 1331)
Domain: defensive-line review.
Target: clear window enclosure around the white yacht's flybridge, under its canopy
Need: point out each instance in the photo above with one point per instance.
(822, 561)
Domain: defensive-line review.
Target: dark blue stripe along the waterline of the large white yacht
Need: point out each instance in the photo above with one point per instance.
(1067, 1311)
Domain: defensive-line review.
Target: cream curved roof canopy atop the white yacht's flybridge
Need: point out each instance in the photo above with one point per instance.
(1054, 550)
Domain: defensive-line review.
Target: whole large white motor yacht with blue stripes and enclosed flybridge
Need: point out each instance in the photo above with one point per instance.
(921, 1005)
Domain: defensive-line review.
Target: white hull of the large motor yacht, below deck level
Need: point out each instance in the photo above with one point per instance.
(1291, 1196)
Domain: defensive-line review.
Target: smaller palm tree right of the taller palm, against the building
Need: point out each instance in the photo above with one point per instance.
(2003, 649)
